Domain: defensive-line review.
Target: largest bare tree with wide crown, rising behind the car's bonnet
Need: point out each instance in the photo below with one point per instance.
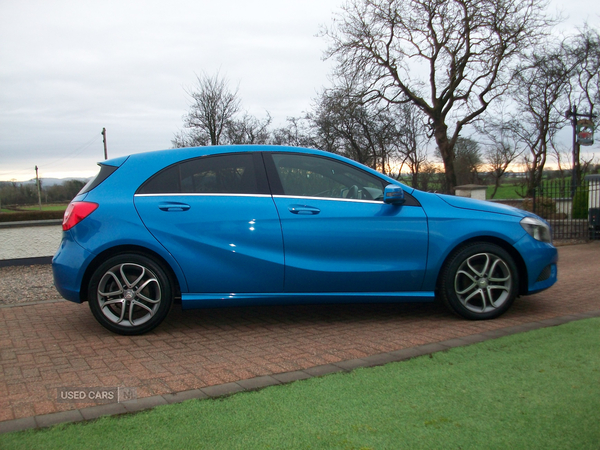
(450, 58)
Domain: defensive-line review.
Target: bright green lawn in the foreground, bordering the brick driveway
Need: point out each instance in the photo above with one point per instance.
(537, 390)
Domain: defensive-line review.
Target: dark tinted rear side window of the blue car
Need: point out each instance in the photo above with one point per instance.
(223, 174)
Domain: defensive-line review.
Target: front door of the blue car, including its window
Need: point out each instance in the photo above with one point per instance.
(339, 235)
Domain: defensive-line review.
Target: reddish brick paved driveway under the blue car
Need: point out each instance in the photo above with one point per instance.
(50, 345)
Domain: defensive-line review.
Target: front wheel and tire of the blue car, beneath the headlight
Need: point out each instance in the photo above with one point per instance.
(479, 281)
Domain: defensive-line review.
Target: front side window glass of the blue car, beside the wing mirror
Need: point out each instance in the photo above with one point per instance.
(313, 176)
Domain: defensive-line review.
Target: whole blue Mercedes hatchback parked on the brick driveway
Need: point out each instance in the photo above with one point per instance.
(249, 225)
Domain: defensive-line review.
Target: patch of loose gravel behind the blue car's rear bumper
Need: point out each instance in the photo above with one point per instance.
(20, 284)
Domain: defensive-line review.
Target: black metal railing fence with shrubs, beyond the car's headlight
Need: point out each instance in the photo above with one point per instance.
(573, 213)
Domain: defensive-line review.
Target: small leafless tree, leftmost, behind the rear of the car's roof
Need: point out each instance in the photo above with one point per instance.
(213, 107)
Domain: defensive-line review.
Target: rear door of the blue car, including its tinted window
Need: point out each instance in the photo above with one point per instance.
(215, 215)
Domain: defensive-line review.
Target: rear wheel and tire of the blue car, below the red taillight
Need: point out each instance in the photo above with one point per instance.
(130, 294)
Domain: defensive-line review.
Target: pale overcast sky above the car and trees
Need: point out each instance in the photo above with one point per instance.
(70, 68)
